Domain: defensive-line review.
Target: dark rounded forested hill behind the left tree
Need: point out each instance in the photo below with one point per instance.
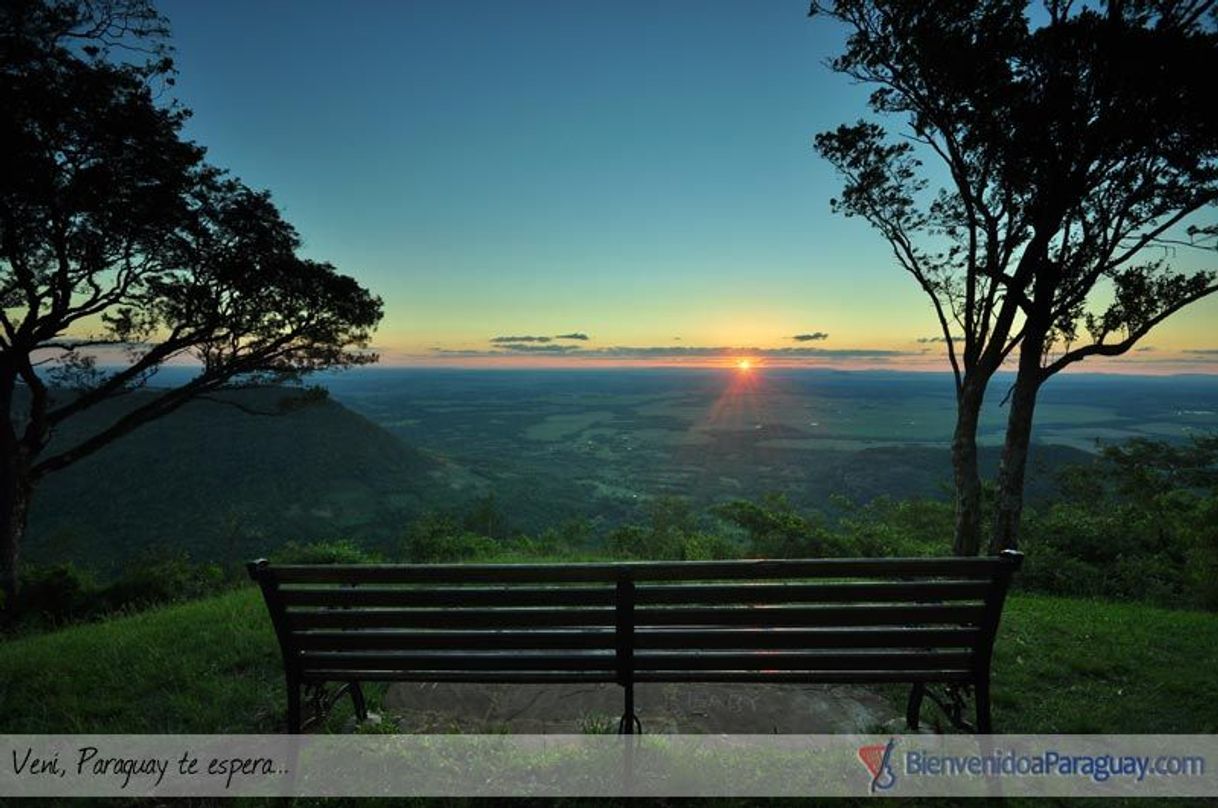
(226, 486)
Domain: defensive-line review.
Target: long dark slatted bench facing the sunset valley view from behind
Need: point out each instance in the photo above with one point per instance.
(862, 621)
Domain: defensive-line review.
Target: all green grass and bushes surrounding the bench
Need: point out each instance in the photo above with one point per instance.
(1135, 526)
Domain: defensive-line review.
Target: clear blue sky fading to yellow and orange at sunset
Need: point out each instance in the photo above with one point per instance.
(640, 175)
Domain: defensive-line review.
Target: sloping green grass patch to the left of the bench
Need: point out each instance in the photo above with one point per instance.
(210, 666)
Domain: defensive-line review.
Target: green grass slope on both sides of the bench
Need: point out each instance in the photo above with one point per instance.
(1063, 666)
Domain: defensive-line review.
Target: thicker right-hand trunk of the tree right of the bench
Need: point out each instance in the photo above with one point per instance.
(1009, 506)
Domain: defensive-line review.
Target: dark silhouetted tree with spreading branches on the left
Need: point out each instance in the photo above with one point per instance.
(121, 250)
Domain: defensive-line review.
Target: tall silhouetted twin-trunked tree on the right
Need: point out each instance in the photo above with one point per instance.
(1066, 151)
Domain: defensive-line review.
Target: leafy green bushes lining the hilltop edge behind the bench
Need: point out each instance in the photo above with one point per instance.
(1139, 523)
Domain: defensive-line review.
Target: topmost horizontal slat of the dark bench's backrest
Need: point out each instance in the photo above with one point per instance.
(891, 569)
